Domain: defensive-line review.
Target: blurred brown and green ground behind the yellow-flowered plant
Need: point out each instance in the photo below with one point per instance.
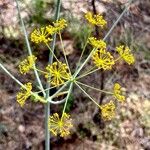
(23, 128)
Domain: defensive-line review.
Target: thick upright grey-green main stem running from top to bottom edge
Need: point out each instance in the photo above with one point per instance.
(47, 106)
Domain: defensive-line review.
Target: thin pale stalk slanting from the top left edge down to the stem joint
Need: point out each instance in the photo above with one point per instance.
(29, 49)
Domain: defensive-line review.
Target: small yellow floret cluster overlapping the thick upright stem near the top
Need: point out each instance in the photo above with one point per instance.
(60, 24)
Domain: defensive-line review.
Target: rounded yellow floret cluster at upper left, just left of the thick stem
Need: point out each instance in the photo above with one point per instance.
(40, 36)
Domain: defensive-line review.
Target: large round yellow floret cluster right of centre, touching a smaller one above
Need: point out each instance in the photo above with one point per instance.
(103, 59)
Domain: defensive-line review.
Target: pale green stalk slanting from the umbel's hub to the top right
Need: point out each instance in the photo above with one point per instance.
(106, 36)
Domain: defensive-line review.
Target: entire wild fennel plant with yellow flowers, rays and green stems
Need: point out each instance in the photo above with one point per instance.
(59, 75)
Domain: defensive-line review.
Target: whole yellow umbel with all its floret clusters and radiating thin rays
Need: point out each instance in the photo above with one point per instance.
(57, 73)
